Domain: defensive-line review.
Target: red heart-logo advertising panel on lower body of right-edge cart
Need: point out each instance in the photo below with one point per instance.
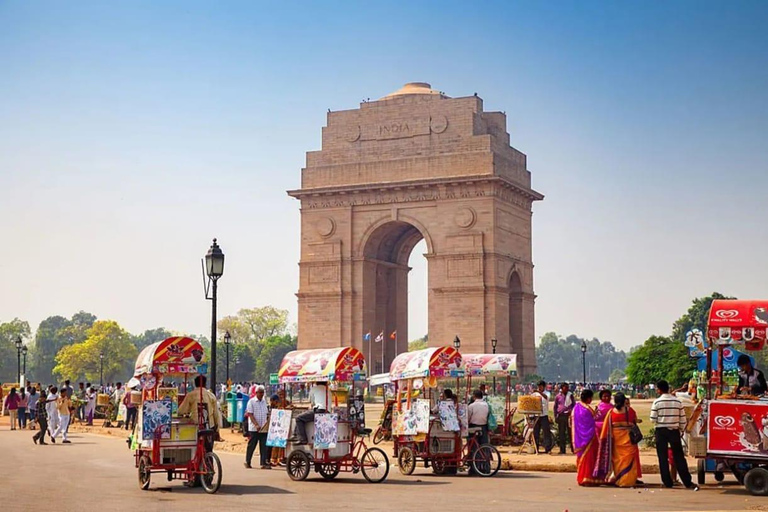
(738, 428)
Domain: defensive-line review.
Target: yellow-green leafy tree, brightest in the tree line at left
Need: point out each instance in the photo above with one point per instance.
(82, 361)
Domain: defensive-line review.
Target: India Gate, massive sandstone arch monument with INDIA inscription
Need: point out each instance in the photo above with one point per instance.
(417, 164)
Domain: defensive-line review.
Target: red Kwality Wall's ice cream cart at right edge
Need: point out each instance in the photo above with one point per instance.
(731, 428)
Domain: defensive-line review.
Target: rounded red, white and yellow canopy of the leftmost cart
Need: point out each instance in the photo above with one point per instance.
(173, 356)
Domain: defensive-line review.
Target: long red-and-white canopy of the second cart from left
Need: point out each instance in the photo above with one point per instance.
(332, 364)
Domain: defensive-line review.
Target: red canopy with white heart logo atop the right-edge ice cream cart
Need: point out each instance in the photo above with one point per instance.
(738, 321)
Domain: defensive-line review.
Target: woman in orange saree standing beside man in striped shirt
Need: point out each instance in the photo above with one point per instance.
(617, 462)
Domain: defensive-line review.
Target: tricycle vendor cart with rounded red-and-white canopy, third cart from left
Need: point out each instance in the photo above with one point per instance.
(435, 433)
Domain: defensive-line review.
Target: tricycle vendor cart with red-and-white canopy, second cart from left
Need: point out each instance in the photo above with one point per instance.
(337, 428)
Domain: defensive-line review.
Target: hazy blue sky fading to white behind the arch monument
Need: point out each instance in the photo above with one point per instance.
(131, 133)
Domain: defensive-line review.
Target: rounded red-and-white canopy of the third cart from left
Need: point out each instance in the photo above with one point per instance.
(430, 362)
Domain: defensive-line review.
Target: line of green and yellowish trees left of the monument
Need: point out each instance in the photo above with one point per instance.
(72, 348)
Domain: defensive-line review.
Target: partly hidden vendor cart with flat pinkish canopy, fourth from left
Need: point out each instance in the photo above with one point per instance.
(493, 366)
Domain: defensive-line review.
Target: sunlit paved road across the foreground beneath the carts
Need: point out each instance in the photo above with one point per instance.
(97, 473)
